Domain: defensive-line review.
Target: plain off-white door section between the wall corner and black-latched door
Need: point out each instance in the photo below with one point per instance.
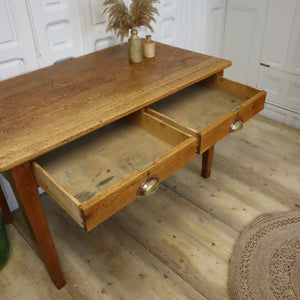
(244, 30)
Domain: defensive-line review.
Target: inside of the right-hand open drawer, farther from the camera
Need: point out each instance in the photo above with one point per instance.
(203, 103)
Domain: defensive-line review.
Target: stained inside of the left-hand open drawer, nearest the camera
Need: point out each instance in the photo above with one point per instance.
(92, 164)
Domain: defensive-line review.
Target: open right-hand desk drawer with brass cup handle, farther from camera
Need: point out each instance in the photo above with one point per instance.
(210, 109)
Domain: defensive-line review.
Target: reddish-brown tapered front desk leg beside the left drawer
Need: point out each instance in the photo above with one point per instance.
(31, 206)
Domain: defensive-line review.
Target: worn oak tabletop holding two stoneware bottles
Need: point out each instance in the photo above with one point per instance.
(47, 108)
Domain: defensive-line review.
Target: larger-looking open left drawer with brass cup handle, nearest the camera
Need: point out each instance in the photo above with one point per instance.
(95, 176)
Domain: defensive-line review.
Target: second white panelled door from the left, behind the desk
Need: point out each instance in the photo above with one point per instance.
(57, 30)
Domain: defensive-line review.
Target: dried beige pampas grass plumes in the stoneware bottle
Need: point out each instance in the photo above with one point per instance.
(121, 19)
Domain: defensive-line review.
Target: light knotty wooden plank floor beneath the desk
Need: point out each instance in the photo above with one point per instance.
(175, 244)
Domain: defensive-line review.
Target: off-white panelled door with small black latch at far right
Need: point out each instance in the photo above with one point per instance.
(279, 72)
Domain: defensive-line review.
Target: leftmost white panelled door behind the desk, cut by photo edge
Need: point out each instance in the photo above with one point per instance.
(17, 51)
